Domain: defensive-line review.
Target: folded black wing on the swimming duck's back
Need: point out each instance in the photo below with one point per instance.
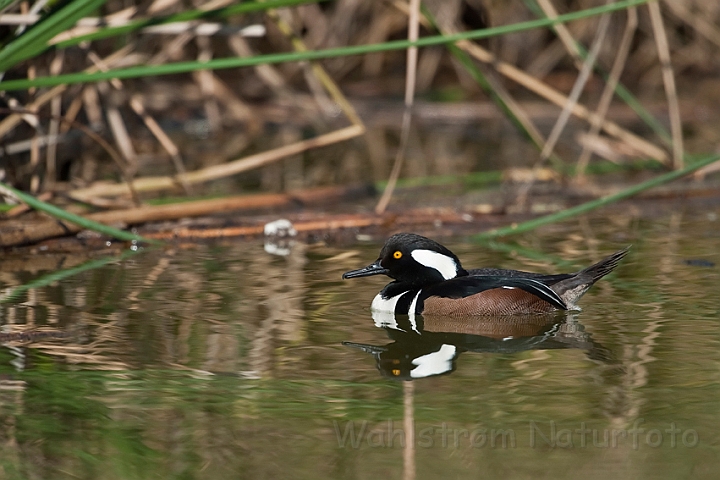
(461, 287)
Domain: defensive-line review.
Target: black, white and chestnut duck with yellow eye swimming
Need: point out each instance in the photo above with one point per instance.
(430, 280)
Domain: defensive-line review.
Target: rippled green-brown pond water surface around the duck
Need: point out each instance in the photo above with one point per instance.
(228, 362)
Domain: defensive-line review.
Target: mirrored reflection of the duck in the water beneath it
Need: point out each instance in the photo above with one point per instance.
(425, 346)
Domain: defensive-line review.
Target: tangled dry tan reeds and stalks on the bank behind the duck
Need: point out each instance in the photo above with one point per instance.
(118, 142)
